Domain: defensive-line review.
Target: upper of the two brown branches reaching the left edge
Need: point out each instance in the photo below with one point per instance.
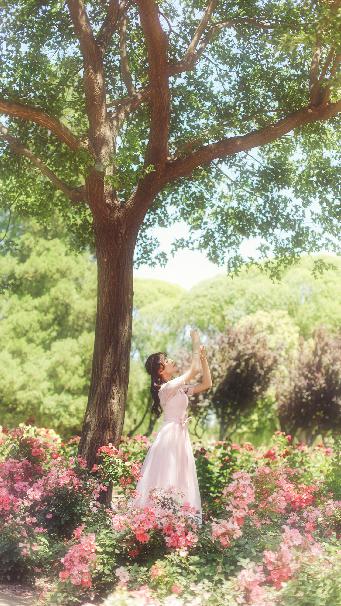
(34, 114)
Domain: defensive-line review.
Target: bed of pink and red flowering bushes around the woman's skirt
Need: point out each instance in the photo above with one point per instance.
(270, 533)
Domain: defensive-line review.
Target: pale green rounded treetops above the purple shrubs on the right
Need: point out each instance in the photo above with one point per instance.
(310, 301)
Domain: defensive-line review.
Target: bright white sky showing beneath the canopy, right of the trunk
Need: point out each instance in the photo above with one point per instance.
(186, 267)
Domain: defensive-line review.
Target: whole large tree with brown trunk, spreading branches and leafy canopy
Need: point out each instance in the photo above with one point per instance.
(121, 106)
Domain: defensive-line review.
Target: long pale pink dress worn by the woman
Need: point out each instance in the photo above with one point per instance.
(169, 461)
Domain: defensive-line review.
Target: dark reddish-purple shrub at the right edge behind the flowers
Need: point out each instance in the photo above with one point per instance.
(312, 402)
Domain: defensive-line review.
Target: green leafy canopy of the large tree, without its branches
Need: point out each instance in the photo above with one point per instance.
(282, 194)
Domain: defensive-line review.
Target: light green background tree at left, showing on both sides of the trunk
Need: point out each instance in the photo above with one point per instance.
(47, 311)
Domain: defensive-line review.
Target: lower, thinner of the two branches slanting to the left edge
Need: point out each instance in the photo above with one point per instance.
(76, 194)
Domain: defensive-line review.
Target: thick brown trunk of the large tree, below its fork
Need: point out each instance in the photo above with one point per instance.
(104, 416)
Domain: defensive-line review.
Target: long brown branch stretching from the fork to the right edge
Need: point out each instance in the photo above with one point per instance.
(183, 167)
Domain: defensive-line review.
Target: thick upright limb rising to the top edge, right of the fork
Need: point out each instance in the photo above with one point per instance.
(157, 44)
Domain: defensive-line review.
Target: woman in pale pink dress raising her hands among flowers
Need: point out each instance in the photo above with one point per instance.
(169, 461)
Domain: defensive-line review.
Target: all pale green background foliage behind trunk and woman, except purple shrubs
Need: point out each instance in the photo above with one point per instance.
(48, 314)
